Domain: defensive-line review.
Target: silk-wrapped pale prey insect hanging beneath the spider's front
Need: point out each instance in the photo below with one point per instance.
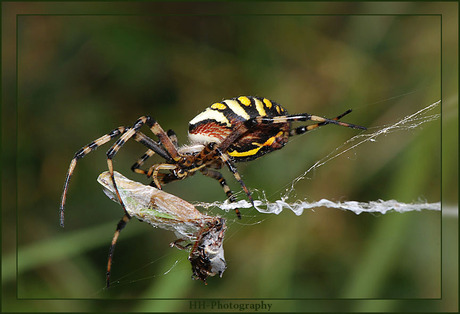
(202, 233)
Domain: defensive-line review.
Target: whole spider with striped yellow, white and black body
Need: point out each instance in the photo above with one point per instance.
(234, 130)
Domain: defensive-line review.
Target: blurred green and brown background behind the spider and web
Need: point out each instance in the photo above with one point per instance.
(80, 76)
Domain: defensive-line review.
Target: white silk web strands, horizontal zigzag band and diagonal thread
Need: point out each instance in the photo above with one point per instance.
(409, 122)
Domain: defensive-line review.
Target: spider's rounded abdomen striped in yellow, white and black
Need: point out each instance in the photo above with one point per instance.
(220, 119)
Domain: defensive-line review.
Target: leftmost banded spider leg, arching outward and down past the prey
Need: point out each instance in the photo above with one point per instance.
(82, 153)
